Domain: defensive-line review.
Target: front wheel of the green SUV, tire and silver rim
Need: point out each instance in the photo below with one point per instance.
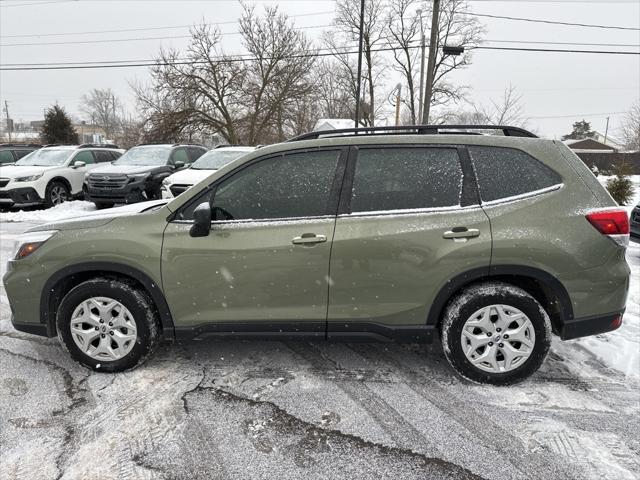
(89, 337)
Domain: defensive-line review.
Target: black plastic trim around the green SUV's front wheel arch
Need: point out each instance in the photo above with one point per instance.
(105, 268)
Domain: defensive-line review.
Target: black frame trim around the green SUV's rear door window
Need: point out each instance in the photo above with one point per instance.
(469, 197)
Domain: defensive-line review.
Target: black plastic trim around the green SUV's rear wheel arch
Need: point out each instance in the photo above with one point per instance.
(488, 273)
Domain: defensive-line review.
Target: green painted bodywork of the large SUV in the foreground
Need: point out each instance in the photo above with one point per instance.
(393, 269)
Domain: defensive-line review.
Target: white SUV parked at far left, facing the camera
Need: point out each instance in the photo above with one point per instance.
(51, 175)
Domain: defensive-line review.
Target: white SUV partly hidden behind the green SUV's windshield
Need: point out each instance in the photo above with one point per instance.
(175, 184)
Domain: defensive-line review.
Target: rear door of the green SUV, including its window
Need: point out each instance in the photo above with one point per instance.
(409, 221)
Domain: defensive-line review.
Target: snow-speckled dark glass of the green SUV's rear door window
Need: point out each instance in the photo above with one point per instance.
(406, 178)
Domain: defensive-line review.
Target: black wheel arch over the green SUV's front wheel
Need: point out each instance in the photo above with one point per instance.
(61, 282)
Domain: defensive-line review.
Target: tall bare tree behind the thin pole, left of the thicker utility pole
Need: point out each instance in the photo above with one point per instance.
(345, 36)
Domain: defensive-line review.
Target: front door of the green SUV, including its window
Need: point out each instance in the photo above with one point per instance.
(265, 264)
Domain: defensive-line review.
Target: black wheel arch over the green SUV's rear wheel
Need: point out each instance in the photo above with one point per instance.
(542, 285)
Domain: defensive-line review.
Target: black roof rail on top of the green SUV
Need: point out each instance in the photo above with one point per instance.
(507, 131)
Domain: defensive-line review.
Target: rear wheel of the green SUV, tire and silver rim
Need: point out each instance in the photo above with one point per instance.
(479, 316)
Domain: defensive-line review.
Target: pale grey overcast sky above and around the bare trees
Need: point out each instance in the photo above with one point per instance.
(557, 88)
